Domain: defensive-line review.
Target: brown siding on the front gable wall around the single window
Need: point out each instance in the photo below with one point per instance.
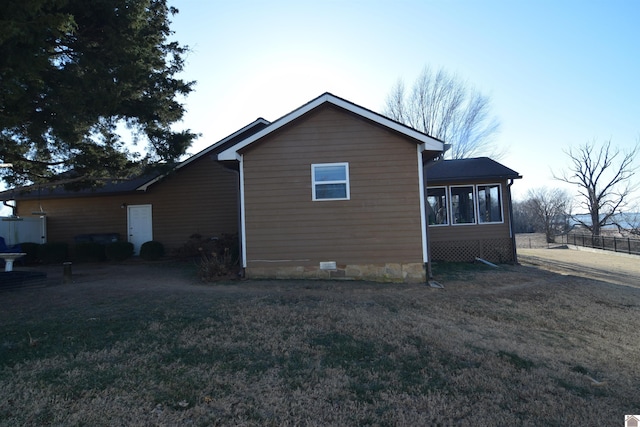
(379, 224)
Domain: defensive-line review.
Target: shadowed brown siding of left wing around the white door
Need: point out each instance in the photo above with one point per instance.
(199, 198)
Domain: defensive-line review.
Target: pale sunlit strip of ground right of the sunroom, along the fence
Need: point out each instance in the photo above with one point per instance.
(595, 264)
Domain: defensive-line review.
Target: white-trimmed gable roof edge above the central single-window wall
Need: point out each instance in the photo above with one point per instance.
(430, 143)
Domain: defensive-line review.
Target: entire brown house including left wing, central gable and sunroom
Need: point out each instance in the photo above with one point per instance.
(329, 190)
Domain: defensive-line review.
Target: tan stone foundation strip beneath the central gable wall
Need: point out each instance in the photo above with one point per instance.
(391, 272)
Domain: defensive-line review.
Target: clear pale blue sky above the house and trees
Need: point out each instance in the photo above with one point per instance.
(559, 73)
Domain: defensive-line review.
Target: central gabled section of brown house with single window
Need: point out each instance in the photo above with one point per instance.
(334, 190)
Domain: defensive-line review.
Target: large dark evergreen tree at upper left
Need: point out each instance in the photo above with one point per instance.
(74, 74)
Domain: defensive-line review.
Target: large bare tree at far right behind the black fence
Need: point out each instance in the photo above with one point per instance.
(603, 175)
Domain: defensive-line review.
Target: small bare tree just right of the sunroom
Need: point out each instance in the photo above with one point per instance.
(551, 209)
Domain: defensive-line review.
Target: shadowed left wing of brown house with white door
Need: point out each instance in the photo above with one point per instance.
(198, 196)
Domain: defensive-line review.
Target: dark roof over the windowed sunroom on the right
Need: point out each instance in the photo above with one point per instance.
(466, 170)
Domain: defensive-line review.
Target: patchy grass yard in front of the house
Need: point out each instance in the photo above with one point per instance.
(512, 346)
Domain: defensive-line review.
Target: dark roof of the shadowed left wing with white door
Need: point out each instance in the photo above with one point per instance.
(140, 183)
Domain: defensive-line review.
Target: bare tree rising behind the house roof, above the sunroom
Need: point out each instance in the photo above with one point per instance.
(445, 107)
